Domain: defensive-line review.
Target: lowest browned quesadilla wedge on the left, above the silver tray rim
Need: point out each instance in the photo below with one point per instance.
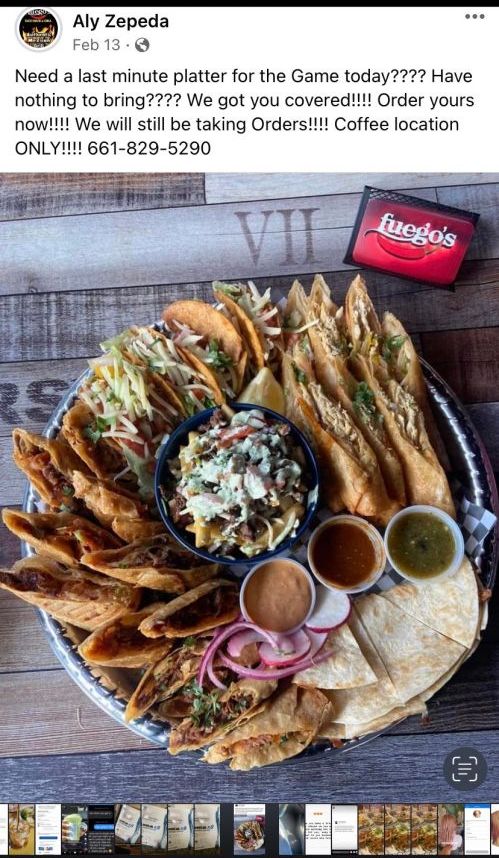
(120, 644)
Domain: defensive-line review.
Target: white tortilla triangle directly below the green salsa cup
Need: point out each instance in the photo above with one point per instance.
(448, 605)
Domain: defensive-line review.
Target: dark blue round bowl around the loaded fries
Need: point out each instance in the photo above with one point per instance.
(163, 479)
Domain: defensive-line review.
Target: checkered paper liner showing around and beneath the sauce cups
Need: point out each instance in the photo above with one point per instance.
(475, 523)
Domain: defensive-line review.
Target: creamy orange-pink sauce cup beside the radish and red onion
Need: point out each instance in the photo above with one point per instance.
(277, 597)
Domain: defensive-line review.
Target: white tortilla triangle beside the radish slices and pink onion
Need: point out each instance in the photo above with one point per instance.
(346, 668)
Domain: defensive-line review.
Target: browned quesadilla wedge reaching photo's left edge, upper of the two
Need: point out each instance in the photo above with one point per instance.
(61, 535)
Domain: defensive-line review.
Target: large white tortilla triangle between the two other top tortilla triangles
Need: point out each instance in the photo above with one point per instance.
(414, 655)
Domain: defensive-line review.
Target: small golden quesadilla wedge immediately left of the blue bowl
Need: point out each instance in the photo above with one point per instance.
(106, 500)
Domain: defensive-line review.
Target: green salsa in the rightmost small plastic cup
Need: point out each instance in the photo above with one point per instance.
(421, 545)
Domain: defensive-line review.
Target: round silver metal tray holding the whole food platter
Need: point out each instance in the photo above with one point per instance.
(470, 466)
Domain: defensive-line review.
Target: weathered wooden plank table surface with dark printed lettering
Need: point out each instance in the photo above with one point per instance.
(83, 256)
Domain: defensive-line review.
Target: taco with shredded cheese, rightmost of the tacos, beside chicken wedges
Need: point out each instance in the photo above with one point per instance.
(257, 320)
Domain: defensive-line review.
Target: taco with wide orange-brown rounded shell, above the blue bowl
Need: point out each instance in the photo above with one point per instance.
(204, 333)
